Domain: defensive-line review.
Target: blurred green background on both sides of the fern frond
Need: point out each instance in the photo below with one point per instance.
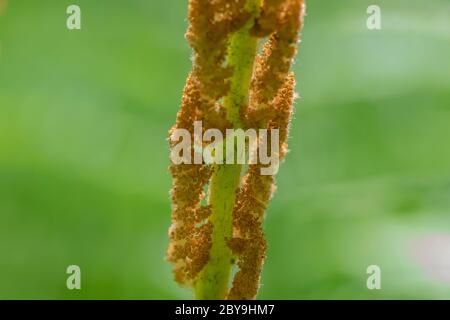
(83, 154)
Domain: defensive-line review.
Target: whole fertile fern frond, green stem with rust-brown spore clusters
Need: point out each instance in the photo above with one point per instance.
(231, 86)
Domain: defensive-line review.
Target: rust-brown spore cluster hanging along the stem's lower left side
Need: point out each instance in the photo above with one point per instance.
(190, 243)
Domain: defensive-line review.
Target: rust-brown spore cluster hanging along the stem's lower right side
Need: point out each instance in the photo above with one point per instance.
(248, 241)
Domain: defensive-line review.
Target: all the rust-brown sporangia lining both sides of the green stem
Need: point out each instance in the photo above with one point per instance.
(270, 106)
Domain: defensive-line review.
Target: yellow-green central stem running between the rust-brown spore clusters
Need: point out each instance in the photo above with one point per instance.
(212, 283)
